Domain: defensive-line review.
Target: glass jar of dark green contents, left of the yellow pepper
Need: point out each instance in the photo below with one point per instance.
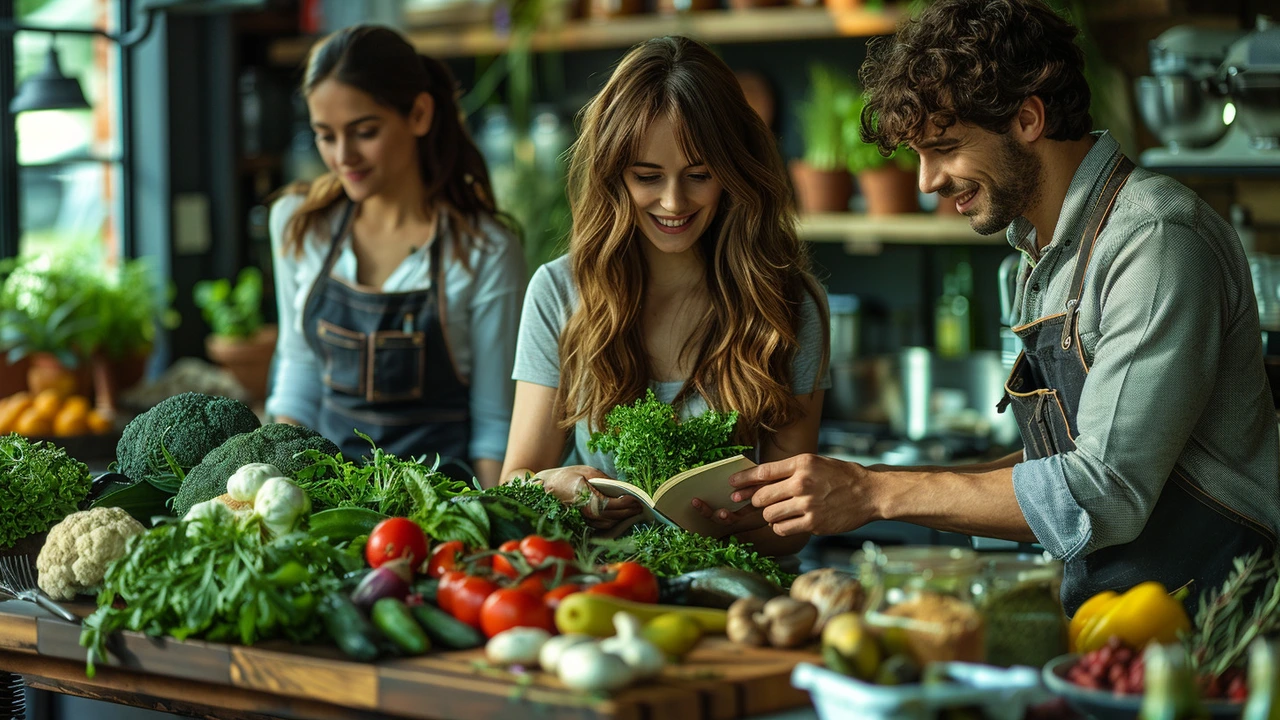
(1018, 596)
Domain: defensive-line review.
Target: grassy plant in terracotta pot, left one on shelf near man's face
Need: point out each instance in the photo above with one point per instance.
(821, 179)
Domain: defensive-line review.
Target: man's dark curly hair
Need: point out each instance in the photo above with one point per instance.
(975, 62)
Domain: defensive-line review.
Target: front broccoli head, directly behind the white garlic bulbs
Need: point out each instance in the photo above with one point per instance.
(276, 444)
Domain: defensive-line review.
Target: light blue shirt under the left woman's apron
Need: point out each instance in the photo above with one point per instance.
(483, 318)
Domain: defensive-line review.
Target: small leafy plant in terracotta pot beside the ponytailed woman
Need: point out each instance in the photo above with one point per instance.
(240, 341)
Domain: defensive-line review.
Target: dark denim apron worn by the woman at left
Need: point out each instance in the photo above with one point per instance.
(386, 363)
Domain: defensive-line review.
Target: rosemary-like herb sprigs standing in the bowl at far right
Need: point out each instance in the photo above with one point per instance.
(1226, 625)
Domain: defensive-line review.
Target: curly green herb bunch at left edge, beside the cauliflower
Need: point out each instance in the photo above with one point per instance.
(40, 485)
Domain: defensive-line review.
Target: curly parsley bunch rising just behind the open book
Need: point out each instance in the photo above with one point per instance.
(651, 444)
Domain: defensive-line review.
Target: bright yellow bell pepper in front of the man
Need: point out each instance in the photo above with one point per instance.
(1144, 614)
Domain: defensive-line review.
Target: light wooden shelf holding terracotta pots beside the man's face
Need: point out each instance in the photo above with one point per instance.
(868, 233)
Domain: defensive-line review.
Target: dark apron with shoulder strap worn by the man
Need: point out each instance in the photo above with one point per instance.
(1190, 537)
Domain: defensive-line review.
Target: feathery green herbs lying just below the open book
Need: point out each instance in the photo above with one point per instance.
(669, 552)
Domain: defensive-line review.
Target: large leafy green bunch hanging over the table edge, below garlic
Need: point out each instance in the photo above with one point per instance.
(218, 581)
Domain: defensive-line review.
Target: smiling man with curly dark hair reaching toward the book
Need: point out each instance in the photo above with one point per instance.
(1149, 429)
